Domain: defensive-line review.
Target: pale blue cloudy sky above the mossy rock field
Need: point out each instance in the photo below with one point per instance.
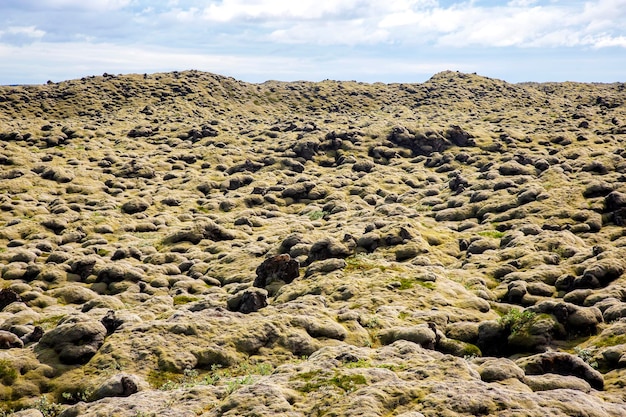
(364, 40)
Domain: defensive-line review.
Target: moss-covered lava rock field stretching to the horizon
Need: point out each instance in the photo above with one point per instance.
(186, 244)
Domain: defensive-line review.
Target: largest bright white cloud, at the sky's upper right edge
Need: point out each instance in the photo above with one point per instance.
(520, 23)
